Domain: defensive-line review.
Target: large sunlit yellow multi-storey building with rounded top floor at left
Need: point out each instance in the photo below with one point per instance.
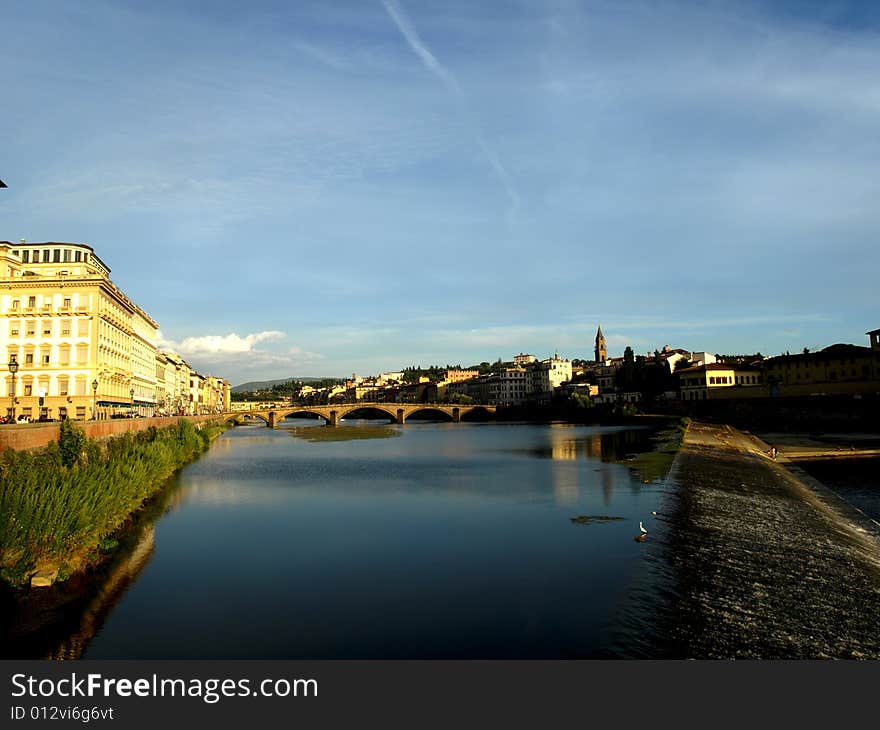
(70, 328)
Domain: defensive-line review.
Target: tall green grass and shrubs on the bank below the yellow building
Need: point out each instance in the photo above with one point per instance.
(62, 504)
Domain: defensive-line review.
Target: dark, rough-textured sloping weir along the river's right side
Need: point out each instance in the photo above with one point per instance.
(764, 565)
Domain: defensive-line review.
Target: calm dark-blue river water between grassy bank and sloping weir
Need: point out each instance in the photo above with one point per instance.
(374, 541)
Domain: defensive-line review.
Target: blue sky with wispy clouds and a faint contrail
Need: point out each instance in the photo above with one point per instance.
(320, 188)
